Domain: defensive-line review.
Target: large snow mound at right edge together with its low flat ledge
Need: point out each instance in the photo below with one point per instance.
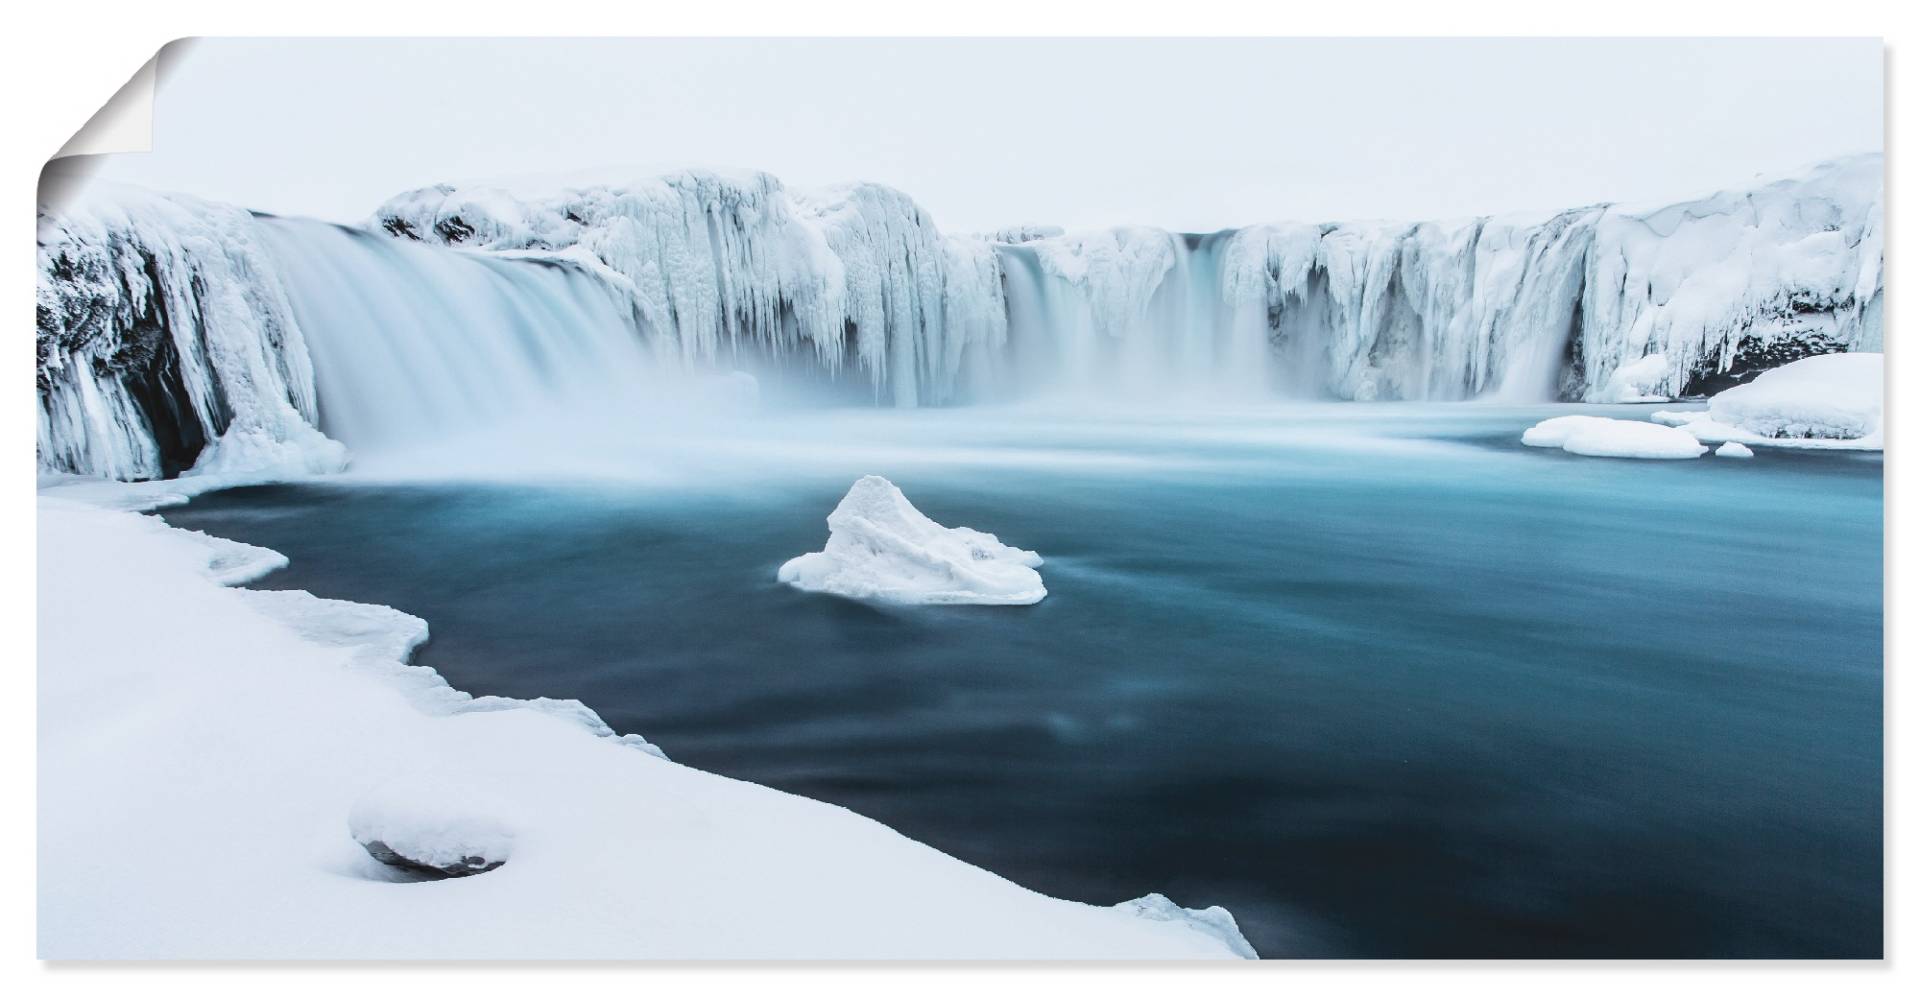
(1827, 402)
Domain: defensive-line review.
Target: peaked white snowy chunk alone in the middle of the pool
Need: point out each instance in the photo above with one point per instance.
(882, 548)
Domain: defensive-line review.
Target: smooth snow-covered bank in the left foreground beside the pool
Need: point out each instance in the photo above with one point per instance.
(206, 772)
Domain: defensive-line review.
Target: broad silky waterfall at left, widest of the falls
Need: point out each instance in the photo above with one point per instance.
(416, 343)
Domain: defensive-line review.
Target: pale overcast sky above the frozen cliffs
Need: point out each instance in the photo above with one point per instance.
(1191, 135)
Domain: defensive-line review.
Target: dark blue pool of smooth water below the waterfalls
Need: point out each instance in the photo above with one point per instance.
(1410, 700)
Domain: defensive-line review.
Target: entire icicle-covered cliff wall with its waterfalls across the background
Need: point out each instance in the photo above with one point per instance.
(176, 333)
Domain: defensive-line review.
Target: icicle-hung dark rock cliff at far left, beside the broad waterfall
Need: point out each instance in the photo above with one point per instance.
(164, 339)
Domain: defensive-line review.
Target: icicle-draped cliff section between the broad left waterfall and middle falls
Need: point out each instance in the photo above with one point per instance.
(721, 262)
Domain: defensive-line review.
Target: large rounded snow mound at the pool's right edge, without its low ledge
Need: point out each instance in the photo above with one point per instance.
(1835, 396)
